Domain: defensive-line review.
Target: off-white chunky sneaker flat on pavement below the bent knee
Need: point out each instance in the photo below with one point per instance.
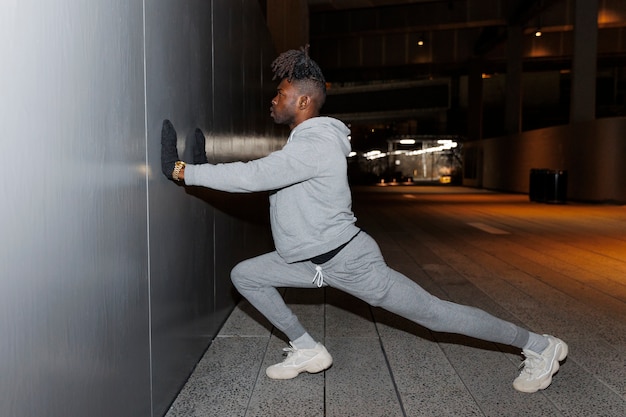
(301, 360)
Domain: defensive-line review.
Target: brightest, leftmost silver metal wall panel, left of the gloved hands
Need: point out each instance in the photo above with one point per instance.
(73, 272)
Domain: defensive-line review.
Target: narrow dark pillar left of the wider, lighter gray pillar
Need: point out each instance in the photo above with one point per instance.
(513, 100)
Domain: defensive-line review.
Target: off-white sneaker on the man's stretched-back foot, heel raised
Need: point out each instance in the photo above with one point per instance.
(538, 368)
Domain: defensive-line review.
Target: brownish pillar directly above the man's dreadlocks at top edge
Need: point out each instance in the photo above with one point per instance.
(288, 22)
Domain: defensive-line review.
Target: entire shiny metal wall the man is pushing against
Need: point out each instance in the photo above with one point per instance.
(108, 278)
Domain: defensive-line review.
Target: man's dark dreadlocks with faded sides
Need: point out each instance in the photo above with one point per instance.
(296, 66)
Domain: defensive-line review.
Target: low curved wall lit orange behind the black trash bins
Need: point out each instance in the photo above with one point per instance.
(591, 152)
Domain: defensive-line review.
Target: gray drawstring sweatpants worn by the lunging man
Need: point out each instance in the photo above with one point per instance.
(360, 270)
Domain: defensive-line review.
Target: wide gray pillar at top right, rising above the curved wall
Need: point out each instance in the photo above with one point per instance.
(583, 100)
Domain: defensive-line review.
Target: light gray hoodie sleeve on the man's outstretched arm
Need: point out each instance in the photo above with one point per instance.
(296, 162)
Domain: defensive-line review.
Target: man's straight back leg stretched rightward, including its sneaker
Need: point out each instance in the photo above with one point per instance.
(360, 270)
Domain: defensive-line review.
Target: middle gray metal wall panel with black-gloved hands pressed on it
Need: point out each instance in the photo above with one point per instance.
(178, 80)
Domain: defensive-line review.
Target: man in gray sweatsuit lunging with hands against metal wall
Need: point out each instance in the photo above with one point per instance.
(316, 239)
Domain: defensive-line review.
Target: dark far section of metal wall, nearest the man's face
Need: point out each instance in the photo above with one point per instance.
(239, 77)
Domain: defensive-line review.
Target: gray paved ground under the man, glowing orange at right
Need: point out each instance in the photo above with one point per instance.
(559, 269)
